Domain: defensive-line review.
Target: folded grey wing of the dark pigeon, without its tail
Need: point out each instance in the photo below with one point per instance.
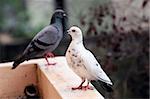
(43, 40)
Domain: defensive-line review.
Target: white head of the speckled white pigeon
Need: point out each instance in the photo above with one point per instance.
(75, 33)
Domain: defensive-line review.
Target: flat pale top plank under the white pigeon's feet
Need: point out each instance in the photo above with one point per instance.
(63, 79)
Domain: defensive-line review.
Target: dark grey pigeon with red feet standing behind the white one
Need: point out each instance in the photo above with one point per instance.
(46, 40)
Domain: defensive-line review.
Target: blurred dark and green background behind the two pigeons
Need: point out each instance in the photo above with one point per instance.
(116, 31)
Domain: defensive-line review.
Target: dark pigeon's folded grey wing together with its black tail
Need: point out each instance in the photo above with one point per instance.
(41, 42)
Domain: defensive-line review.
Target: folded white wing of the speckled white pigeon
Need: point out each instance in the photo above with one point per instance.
(93, 67)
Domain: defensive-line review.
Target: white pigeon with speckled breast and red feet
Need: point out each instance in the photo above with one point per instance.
(83, 62)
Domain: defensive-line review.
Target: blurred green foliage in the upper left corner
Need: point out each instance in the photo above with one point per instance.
(14, 19)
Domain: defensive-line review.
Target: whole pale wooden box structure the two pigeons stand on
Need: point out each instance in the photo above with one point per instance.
(54, 82)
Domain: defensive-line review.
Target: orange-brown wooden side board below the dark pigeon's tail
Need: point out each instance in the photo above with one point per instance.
(13, 82)
